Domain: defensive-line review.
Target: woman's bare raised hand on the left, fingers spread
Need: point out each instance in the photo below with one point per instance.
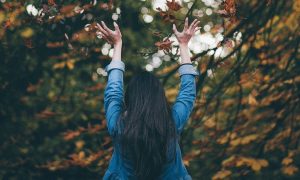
(112, 37)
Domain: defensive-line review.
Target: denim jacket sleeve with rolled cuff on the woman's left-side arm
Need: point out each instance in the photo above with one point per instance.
(113, 94)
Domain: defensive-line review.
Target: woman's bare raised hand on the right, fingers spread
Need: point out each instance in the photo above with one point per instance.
(187, 33)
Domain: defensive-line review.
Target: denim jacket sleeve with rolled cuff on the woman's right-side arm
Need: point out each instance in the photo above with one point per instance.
(186, 97)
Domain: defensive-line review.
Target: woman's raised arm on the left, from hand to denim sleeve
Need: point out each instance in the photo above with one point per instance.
(113, 94)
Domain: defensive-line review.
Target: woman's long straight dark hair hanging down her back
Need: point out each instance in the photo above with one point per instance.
(148, 131)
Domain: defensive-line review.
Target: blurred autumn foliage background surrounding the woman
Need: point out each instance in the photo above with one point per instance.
(245, 123)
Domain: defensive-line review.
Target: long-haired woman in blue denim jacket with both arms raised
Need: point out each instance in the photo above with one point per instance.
(145, 130)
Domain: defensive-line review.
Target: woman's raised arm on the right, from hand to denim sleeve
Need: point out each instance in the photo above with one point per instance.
(187, 92)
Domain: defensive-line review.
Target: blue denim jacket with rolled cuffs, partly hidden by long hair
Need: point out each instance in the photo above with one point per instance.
(118, 169)
